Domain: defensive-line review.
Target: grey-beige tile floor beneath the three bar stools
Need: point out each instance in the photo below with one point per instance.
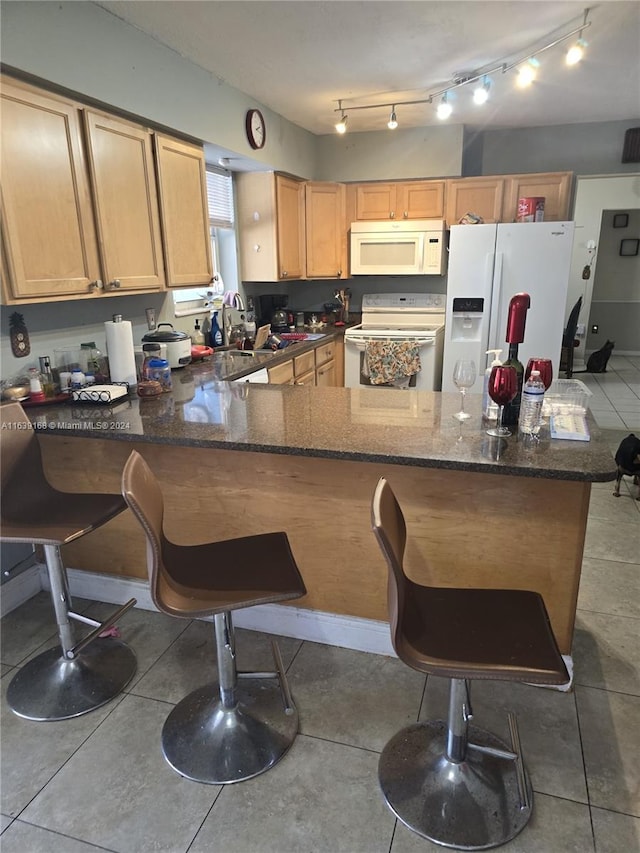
(99, 782)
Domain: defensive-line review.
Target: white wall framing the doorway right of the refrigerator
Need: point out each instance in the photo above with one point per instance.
(595, 194)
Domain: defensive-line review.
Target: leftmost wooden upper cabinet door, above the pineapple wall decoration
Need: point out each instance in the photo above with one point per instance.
(48, 231)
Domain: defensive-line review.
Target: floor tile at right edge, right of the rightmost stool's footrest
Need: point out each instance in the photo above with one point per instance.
(610, 728)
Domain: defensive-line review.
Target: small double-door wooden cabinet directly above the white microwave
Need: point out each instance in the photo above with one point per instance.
(400, 200)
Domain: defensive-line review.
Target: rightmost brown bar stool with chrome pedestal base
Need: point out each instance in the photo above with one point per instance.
(452, 783)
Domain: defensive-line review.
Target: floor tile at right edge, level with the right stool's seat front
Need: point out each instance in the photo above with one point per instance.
(606, 652)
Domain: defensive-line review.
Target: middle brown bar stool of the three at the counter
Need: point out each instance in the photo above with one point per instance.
(242, 725)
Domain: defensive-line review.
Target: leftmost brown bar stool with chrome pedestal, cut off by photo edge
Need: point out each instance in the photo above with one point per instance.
(74, 677)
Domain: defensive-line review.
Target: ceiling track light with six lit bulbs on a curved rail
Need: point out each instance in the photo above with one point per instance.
(526, 66)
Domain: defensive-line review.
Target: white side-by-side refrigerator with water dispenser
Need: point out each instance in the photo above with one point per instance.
(488, 264)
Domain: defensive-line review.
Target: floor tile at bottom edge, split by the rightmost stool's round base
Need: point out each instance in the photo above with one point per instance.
(556, 826)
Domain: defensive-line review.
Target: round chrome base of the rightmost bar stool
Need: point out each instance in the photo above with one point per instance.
(468, 805)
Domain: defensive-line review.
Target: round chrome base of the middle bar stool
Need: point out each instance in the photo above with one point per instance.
(208, 743)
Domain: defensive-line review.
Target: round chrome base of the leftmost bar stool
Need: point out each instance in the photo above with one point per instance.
(52, 688)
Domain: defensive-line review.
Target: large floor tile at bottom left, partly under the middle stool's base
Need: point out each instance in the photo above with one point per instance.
(137, 802)
